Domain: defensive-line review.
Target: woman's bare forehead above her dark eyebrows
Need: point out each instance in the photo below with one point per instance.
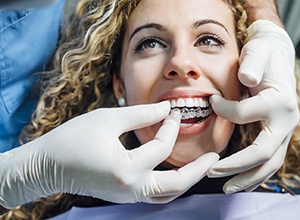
(180, 12)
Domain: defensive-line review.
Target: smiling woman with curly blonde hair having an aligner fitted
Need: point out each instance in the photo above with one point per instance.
(142, 54)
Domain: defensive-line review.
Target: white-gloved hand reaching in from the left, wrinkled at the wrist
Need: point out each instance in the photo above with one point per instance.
(84, 156)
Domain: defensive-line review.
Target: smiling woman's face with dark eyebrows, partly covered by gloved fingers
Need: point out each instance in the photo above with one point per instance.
(184, 52)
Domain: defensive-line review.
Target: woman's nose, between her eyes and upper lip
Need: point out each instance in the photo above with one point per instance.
(182, 65)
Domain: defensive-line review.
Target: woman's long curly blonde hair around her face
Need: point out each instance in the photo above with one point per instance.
(81, 80)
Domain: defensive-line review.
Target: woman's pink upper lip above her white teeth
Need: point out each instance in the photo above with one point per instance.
(175, 94)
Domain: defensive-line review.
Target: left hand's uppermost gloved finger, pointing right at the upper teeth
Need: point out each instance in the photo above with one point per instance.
(135, 117)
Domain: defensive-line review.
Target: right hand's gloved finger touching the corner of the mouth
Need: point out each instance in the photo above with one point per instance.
(249, 110)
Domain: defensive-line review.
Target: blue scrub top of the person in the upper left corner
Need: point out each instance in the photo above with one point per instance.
(28, 39)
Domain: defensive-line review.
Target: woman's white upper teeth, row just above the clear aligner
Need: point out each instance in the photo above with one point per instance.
(189, 102)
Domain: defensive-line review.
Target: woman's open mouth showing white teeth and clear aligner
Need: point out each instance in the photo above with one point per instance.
(193, 110)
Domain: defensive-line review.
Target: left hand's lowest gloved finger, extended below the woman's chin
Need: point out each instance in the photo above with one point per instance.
(174, 182)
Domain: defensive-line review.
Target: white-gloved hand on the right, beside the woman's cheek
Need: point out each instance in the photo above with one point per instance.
(267, 68)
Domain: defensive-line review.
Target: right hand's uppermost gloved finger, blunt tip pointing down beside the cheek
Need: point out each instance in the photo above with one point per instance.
(252, 64)
